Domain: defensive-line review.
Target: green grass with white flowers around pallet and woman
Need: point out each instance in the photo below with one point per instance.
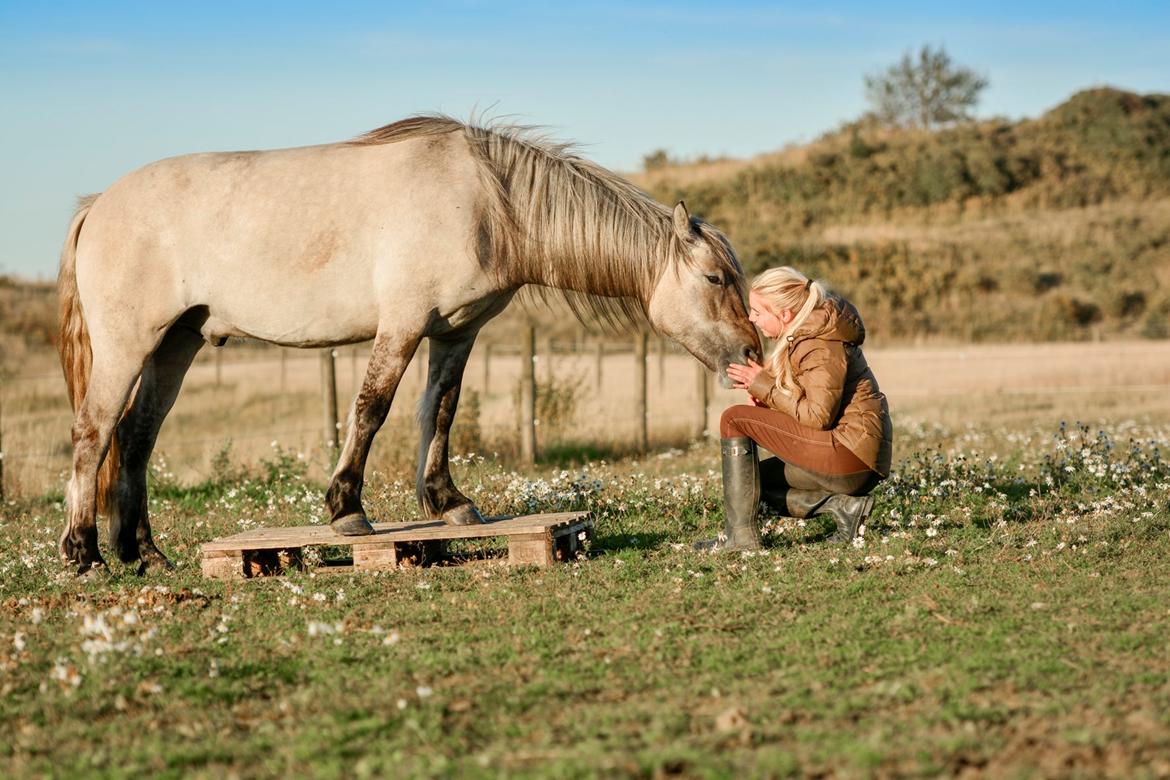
(1018, 630)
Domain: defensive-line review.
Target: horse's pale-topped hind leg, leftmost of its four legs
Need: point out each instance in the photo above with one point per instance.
(112, 379)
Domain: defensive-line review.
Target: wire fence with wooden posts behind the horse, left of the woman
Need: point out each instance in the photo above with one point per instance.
(251, 397)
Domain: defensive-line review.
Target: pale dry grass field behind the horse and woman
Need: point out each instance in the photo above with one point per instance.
(252, 406)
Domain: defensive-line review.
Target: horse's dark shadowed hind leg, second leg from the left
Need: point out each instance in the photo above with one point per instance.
(162, 378)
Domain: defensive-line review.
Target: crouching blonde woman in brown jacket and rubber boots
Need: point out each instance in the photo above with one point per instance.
(815, 404)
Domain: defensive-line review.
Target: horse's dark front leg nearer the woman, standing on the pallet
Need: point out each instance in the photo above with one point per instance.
(438, 495)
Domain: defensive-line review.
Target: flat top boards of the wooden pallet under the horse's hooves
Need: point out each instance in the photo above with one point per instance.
(417, 531)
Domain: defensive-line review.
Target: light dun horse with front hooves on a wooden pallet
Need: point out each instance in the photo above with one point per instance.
(423, 229)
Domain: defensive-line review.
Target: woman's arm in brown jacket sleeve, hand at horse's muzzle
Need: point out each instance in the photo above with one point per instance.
(818, 376)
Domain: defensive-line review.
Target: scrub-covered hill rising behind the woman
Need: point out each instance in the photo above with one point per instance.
(1048, 229)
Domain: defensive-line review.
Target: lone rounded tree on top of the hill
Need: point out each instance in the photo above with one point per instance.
(925, 92)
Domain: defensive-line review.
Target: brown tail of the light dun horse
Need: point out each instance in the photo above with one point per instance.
(74, 346)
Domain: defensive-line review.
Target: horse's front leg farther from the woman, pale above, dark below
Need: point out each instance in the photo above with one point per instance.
(388, 362)
